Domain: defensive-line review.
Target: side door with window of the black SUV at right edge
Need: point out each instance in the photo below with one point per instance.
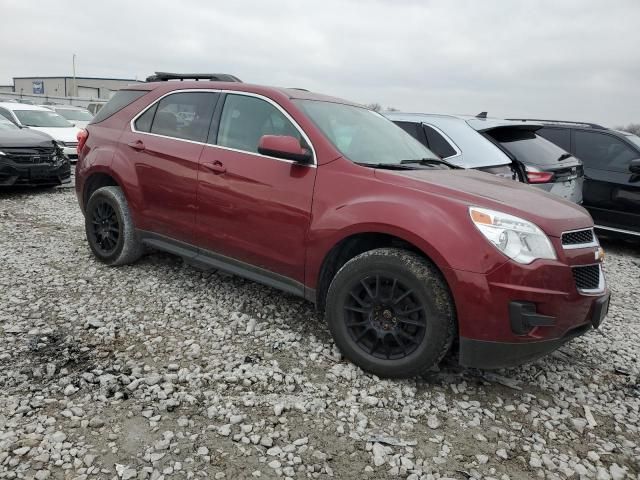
(612, 192)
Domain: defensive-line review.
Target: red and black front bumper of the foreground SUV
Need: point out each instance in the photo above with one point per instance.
(517, 313)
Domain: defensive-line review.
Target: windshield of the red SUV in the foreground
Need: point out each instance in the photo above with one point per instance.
(362, 135)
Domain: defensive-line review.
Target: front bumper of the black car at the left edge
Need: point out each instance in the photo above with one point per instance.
(14, 173)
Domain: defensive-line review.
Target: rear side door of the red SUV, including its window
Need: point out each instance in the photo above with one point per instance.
(165, 149)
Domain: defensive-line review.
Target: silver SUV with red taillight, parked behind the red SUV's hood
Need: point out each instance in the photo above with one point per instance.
(507, 148)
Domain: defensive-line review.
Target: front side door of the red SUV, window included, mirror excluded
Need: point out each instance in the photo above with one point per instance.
(254, 208)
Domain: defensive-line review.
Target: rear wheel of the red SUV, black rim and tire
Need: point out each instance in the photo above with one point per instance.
(109, 227)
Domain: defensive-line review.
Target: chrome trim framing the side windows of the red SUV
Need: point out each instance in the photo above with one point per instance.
(226, 93)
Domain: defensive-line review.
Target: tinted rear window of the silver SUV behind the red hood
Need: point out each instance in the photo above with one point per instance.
(526, 146)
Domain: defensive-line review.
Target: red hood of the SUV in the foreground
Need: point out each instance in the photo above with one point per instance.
(550, 212)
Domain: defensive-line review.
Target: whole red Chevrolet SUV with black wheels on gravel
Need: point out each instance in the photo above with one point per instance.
(408, 256)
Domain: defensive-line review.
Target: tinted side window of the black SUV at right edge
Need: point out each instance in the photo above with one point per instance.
(603, 151)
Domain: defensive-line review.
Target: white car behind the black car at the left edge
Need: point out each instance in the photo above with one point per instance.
(44, 120)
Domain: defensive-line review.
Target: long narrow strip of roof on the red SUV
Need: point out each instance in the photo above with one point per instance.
(291, 93)
